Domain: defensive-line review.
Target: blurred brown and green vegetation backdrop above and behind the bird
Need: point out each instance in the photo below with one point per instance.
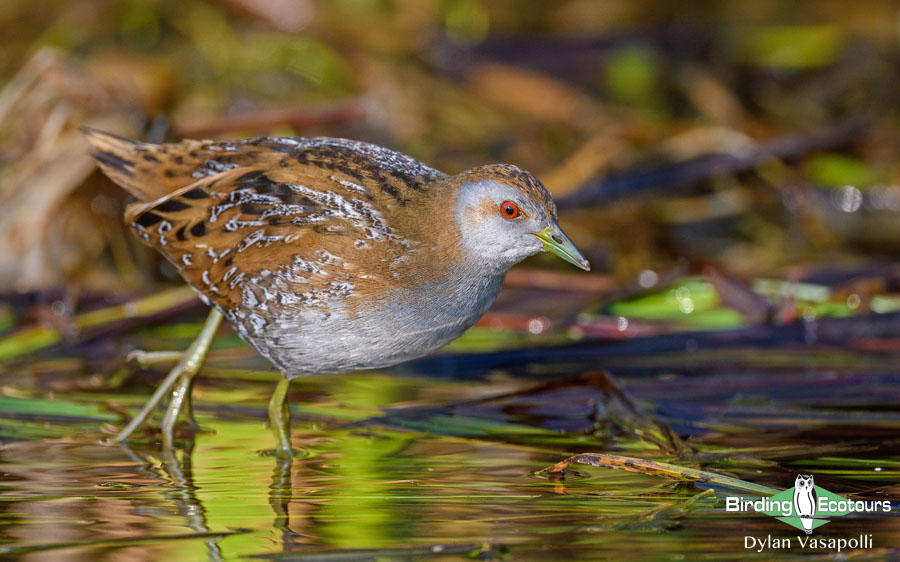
(748, 135)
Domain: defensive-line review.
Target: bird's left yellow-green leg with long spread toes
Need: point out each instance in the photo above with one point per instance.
(183, 373)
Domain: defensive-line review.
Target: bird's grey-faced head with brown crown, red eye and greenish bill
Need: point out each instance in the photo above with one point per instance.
(505, 215)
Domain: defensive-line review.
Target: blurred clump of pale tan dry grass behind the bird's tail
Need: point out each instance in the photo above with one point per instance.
(48, 230)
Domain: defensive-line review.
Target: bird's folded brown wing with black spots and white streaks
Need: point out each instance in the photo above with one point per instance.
(262, 234)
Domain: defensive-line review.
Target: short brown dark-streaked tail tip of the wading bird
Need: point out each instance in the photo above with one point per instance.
(117, 157)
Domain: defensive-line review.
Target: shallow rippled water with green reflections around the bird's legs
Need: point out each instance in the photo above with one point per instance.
(398, 467)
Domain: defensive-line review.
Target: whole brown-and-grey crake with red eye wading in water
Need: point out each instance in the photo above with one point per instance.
(327, 255)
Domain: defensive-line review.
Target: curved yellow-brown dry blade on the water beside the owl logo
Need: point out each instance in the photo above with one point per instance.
(661, 469)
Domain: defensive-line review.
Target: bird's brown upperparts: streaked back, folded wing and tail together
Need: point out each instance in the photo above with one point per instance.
(291, 223)
